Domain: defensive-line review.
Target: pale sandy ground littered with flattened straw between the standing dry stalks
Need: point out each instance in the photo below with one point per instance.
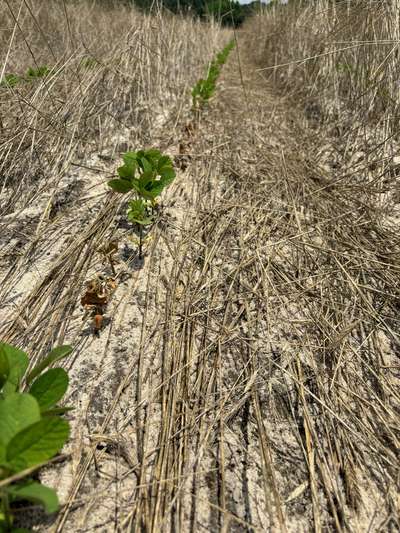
(246, 378)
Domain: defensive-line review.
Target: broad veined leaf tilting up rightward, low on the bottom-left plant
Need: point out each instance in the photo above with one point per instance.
(37, 443)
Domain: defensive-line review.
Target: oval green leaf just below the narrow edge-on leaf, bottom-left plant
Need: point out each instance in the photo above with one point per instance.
(50, 387)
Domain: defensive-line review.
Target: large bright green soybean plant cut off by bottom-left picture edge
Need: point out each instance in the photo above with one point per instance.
(31, 429)
